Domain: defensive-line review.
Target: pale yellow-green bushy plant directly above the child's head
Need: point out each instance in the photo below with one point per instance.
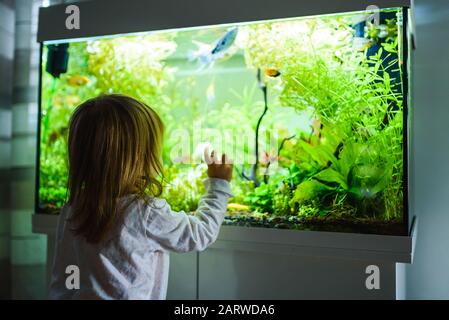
(133, 65)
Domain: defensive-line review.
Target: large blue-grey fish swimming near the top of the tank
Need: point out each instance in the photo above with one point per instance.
(207, 55)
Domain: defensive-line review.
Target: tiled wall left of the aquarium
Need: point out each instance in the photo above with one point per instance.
(22, 253)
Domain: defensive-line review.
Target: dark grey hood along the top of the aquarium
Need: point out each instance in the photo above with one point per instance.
(112, 17)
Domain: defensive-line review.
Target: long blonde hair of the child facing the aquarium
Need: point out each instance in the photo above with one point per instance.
(114, 149)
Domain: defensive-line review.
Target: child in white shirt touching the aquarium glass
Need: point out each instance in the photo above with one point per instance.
(113, 228)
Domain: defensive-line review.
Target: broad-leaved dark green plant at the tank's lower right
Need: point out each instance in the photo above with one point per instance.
(357, 178)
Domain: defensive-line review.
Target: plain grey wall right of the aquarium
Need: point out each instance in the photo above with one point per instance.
(428, 277)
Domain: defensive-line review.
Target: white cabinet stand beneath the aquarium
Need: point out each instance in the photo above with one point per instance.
(260, 263)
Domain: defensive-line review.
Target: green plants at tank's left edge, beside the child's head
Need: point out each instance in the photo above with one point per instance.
(59, 99)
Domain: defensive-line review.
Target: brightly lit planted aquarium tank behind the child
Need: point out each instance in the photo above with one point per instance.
(312, 110)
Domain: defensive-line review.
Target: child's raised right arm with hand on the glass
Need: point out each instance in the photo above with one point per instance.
(179, 232)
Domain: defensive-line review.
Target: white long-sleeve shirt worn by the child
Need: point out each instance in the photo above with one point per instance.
(133, 263)
